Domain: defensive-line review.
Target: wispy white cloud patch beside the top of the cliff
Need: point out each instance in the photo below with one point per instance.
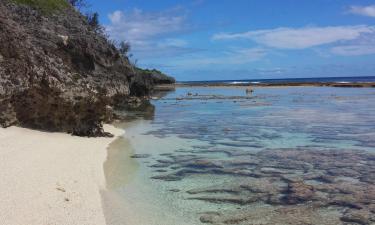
(149, 33)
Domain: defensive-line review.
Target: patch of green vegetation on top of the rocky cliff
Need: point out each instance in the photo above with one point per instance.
(45, 6)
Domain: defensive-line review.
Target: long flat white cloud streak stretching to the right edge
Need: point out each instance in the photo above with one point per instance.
(300, 38)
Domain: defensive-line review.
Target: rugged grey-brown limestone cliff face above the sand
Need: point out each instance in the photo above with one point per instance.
(57, 73)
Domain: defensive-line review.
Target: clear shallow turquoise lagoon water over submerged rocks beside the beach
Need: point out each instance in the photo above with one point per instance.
(301, 155)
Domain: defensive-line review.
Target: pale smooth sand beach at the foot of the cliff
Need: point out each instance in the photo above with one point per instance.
(51, 178)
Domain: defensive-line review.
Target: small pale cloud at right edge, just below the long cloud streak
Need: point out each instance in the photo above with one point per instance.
(353, 50)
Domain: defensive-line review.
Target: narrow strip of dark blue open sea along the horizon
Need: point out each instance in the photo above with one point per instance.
(289, 80)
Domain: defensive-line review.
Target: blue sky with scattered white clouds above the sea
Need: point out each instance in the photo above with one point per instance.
(245, 39)
